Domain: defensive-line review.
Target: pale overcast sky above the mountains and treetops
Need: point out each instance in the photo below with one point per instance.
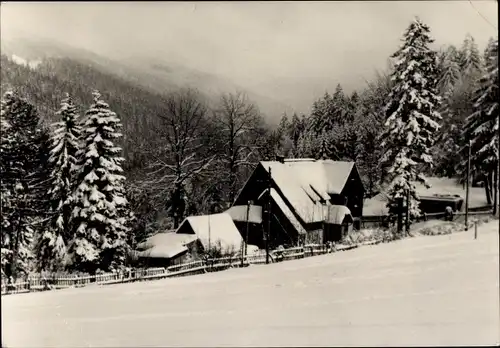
(257, 44)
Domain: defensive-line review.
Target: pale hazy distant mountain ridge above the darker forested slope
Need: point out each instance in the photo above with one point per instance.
(151, 73)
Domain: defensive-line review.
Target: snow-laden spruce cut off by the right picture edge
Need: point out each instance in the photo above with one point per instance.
(481, 128)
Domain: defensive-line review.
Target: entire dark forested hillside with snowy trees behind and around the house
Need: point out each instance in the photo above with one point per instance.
(186, 154)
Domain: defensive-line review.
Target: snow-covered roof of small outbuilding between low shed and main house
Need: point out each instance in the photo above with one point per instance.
(216, 228)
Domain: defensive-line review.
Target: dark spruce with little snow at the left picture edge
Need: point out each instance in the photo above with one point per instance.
(20, 154)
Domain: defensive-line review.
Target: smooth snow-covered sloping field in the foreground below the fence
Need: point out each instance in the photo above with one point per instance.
(440, 290)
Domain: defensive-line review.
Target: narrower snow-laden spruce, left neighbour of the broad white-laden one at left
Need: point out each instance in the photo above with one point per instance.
(50, 247)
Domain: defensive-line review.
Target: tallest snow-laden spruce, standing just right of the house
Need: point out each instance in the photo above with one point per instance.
(412, 116)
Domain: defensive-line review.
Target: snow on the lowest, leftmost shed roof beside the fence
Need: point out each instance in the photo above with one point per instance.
(165, 245)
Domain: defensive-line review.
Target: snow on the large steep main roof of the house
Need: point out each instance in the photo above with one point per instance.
(305, 183)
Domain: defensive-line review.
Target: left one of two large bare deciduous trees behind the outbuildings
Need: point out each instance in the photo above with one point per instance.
(186, 150)
